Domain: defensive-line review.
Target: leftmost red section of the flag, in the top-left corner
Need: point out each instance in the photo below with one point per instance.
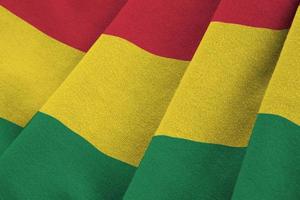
(77, 23)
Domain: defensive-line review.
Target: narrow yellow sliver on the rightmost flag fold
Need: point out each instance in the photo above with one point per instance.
(283, 93)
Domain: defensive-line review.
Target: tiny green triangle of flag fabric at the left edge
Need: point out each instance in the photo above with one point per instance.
(8, 132)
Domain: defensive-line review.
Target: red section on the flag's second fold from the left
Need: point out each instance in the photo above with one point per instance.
(170, 28)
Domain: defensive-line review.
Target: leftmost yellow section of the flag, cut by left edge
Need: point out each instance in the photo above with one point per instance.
(32, 66)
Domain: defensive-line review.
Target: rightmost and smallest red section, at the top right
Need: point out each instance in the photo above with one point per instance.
(273, 14)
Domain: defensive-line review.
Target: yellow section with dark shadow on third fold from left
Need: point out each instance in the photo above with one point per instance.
(220, 93)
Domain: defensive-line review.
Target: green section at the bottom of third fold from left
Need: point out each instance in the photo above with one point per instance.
(182, 169)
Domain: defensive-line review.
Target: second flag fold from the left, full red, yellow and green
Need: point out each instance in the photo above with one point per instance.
(89, 137)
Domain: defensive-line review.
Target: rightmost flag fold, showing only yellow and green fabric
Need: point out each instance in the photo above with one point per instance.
(271, 169)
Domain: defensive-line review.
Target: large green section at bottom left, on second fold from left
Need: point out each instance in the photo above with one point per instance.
(48, 161)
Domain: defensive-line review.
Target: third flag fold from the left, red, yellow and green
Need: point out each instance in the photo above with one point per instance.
(199, 146)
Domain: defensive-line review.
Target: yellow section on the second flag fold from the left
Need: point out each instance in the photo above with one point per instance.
(116, 97)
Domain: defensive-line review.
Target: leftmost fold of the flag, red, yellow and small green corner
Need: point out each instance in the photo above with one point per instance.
(41, 42)
